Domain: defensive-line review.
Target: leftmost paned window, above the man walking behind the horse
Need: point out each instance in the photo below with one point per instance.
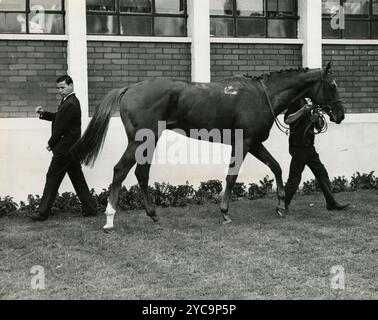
(32, 16)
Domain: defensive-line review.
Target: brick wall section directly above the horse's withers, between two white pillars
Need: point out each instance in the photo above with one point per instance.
(254, 59)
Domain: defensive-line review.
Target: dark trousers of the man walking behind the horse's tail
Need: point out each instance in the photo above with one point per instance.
(59, 166)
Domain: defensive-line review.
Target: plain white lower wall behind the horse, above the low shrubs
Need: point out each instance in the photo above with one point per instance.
(344, 149)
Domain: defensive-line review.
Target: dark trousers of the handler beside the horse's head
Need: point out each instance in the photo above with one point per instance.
(307, 156)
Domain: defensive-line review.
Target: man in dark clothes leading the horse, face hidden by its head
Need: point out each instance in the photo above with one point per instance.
(303, 123)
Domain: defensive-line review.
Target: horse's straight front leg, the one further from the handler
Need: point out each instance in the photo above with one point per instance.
(238, 153)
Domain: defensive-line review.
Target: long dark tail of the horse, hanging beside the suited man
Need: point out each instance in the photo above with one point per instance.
(87, 148)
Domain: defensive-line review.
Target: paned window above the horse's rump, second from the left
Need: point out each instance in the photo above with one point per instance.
(137, 17)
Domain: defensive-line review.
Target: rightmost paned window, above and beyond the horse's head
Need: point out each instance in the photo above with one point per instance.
(350, 19)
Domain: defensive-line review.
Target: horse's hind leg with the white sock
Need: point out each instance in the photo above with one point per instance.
(121, 170)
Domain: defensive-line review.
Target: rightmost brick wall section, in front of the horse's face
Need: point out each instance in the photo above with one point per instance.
(355, 69)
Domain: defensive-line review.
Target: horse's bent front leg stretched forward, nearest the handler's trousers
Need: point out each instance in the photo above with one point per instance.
(259, 151)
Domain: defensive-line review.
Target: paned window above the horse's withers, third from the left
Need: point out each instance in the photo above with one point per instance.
(253, 18)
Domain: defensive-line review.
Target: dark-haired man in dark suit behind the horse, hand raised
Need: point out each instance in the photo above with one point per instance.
(66, 130)
